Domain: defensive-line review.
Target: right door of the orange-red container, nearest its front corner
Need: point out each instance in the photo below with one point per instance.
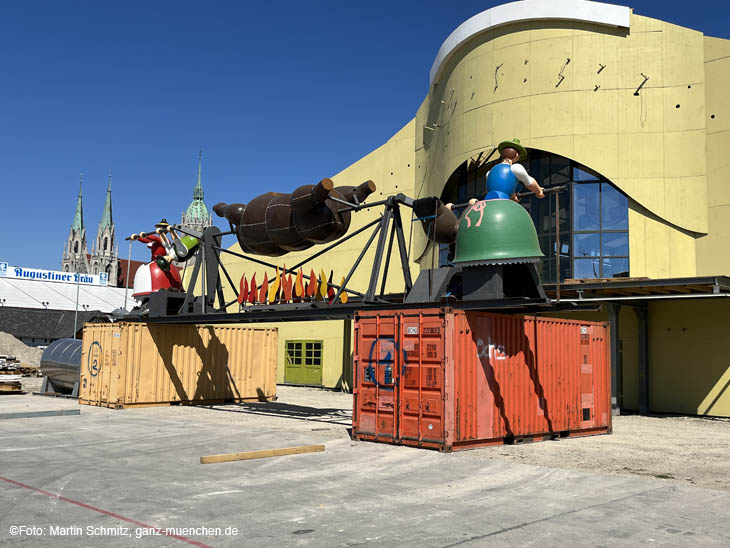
(421, 380)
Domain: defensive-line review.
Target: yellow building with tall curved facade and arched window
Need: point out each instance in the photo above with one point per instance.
(624, 112)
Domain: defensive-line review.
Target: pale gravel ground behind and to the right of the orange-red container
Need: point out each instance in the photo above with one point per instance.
(686, 450)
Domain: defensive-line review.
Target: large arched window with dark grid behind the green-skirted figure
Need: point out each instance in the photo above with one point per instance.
(592, 216)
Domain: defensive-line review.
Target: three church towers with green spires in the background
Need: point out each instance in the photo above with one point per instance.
(104, 256)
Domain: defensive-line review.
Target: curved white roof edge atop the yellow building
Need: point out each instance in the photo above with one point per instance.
(528, 10)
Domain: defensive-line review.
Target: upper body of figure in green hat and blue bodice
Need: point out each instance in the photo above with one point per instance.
(503, 179)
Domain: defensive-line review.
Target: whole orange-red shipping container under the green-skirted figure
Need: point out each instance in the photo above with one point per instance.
(453, 379)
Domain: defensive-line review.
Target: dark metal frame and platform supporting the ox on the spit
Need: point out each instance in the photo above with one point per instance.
(175, 307)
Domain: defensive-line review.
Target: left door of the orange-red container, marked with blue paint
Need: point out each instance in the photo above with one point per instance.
(376, 376)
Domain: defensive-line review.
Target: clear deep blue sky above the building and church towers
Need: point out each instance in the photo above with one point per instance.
(276, 94)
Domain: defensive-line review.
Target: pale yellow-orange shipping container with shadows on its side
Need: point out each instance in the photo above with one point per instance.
(126, 364)
